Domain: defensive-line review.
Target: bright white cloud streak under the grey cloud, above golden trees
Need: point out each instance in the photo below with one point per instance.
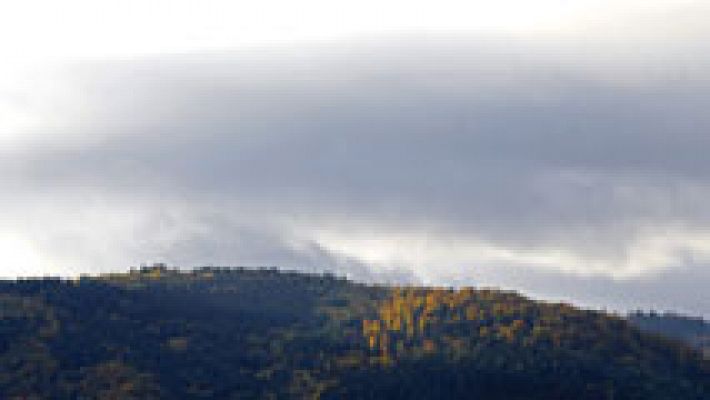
(428, 253)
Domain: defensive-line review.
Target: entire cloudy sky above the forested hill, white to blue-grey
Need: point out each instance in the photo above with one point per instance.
(554, 147)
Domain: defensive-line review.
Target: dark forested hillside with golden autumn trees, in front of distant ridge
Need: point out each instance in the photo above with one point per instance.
(238, 333)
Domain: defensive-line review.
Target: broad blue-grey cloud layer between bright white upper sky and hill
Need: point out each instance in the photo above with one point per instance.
(440, 161)
